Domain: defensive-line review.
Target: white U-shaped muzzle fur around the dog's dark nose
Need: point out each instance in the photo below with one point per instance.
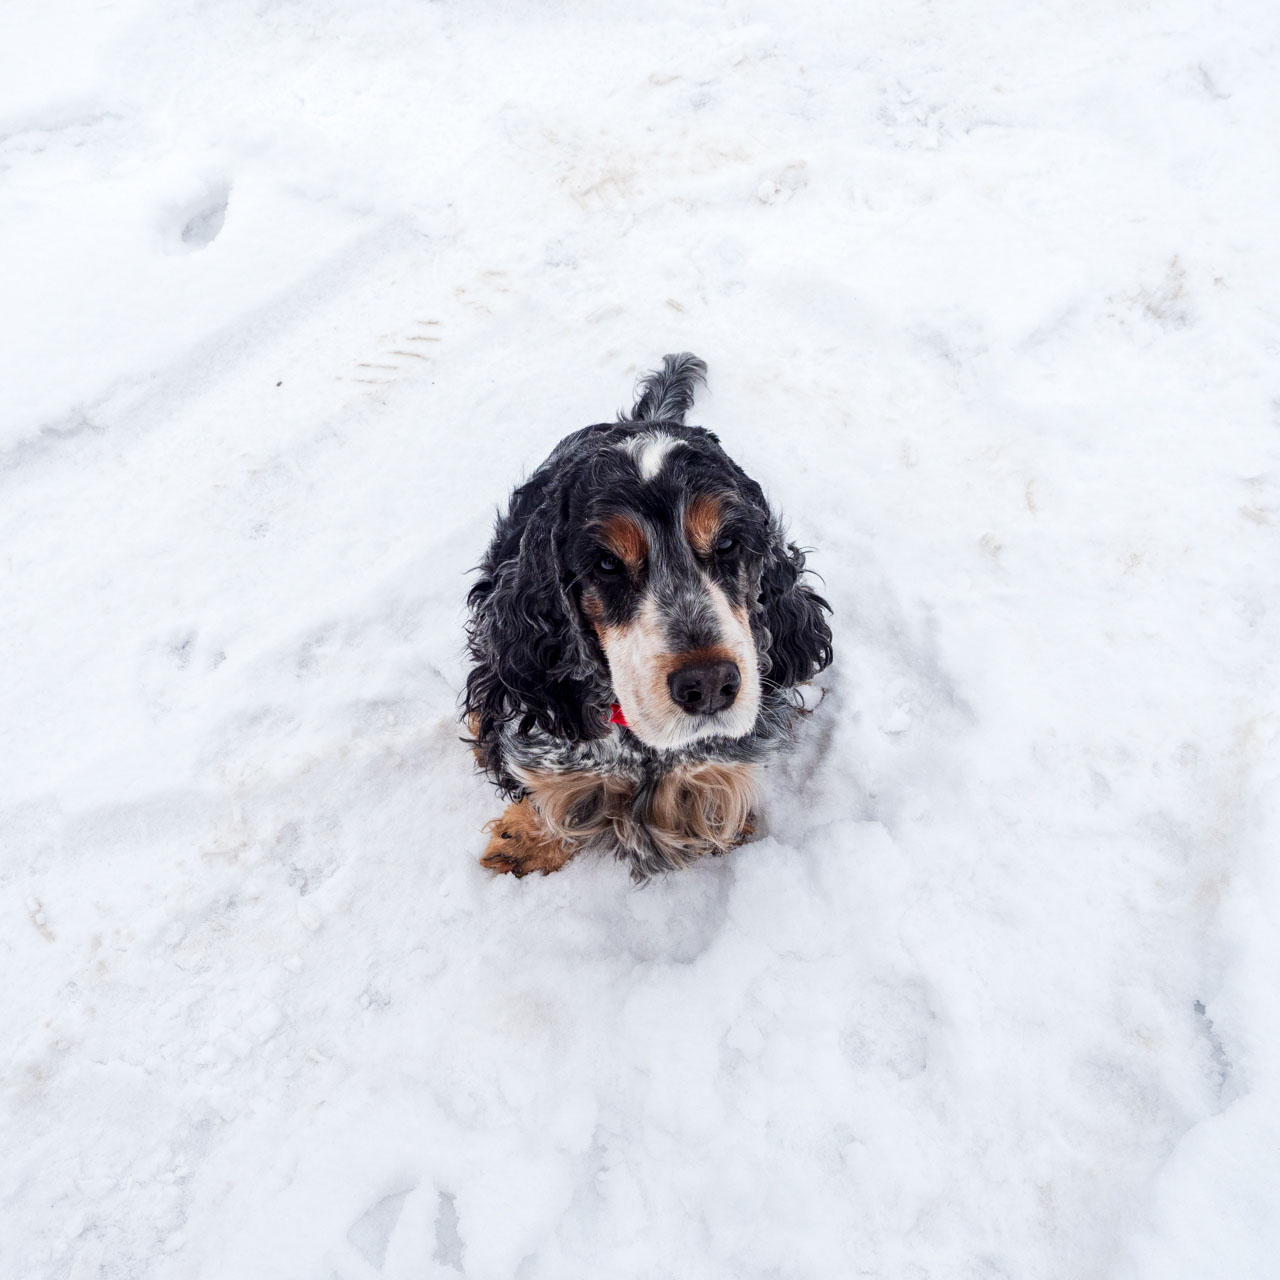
(637, 664)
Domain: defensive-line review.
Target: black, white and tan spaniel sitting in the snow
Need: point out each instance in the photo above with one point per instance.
(638, 632)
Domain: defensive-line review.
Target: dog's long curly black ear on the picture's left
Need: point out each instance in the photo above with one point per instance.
(531, 660)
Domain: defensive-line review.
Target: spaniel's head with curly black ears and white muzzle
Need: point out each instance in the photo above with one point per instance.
(641, 565)
